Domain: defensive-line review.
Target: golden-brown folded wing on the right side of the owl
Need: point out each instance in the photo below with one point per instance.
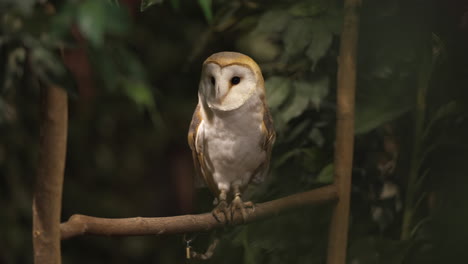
(268, 139)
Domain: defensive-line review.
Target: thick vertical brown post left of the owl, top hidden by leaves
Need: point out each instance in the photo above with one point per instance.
(47, 200)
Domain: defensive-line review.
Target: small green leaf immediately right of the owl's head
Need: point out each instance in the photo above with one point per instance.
(278, 89)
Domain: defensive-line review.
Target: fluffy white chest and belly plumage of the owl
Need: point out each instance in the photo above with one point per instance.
(231, 144)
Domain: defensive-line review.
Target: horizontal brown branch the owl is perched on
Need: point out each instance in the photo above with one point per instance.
(87, 225)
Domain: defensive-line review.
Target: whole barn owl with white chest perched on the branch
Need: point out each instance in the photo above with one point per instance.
(231, 134)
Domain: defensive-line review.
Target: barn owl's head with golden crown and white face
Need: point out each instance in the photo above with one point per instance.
(229, 79)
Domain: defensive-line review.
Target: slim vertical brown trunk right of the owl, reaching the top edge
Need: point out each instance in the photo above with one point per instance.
(338, 237)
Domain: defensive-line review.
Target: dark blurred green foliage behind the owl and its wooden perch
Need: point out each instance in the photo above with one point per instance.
(132, 77)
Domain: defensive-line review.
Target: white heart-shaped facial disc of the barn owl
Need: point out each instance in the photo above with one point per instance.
(221, 92)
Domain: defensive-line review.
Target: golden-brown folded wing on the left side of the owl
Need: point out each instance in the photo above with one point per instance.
(202, 175)
